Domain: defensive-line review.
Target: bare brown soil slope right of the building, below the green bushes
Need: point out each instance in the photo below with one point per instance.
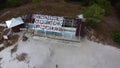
(104, 30)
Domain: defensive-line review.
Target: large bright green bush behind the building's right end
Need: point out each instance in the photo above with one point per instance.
(93, 14)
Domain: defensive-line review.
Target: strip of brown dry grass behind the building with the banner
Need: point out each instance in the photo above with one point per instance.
(50, 8)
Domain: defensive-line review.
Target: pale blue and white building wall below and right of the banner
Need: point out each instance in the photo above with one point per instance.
(68, 31)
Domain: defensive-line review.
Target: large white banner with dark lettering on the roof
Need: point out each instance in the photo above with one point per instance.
(48, 23)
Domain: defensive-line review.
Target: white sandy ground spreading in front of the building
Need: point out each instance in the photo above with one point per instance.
(46, 53)
